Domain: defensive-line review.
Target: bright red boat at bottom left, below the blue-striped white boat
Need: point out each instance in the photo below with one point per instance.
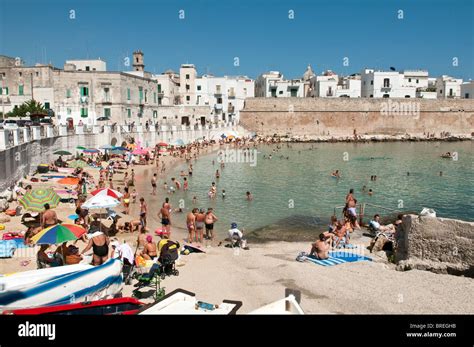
(117, 306)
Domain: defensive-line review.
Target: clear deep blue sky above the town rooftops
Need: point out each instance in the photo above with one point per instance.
(258, 32)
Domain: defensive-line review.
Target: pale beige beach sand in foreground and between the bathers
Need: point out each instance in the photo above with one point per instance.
(260, 275)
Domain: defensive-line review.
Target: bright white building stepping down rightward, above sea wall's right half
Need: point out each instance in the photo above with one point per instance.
(385, 84)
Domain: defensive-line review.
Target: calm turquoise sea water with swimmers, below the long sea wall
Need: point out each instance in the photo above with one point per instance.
(299, 193)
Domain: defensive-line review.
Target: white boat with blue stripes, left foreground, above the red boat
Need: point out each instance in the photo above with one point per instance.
(93, 283)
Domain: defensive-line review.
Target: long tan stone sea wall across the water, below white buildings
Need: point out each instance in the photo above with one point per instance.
(342, 116)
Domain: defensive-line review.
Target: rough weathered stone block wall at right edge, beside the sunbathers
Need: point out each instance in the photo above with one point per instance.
(436, 244)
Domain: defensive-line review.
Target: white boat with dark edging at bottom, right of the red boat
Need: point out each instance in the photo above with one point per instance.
(181, 301)
